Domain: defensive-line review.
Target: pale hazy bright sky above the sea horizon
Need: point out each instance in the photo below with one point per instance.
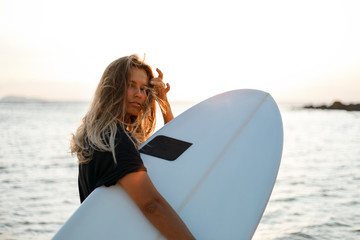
(298, 51)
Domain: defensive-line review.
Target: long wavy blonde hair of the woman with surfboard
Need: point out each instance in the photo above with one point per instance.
(107, 111)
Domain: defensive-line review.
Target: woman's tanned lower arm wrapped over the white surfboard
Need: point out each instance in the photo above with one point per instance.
(140, 188)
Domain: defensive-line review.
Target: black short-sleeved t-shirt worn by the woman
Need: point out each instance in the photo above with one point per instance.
(102, 170)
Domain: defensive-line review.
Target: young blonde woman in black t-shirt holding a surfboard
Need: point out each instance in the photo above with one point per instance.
(121, 117)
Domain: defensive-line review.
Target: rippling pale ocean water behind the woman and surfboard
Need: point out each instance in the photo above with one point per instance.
(316, 196)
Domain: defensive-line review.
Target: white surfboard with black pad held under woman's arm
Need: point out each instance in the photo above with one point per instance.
(216, 164)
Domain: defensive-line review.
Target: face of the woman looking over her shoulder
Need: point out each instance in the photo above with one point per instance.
(136, 92)
